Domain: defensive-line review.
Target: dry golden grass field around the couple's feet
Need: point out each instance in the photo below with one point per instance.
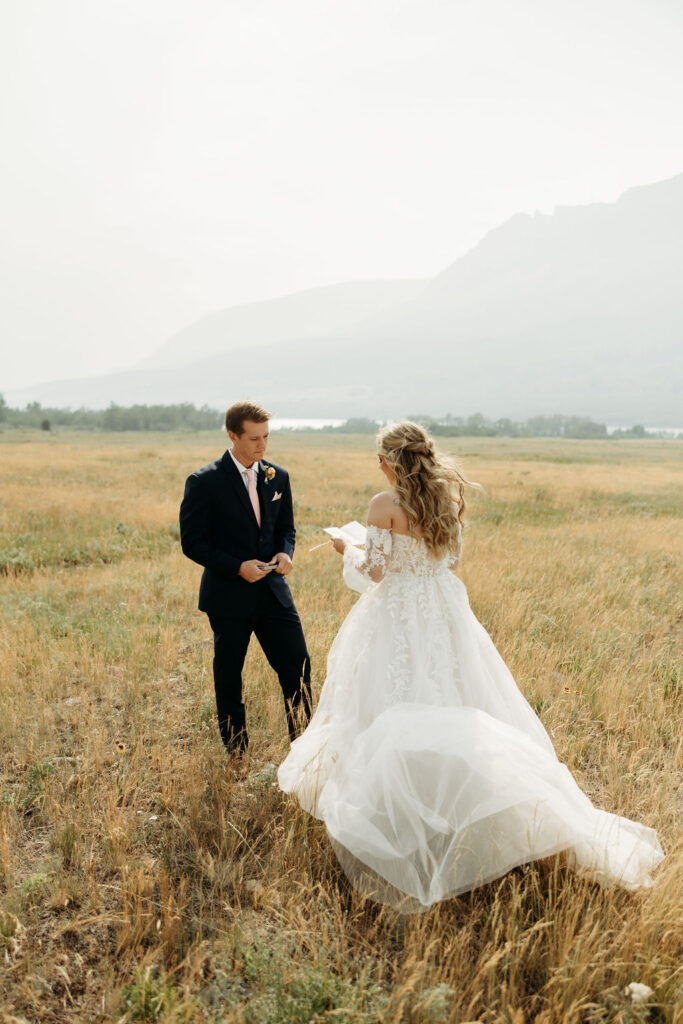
(141, 882)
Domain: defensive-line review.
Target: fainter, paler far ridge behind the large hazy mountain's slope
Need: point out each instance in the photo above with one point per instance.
(305, 315)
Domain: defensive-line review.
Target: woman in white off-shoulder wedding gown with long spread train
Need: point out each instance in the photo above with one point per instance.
(429, 767)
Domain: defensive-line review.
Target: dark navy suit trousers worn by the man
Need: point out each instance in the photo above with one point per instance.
(279, 631)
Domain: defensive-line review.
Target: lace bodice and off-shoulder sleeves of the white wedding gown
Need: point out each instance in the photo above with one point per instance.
(389, 554)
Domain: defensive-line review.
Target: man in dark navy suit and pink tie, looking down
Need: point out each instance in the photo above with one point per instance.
(237, 522)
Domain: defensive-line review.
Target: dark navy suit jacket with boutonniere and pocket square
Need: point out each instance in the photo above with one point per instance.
(219, 531)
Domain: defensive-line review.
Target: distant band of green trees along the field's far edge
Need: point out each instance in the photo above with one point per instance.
(186, 416)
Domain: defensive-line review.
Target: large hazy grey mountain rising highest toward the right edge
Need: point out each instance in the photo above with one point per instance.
(579, 313)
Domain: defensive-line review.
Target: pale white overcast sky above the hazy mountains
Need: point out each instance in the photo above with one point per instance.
(165, 159)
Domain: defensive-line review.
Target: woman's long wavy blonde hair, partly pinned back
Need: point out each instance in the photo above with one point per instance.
(431, 488)
